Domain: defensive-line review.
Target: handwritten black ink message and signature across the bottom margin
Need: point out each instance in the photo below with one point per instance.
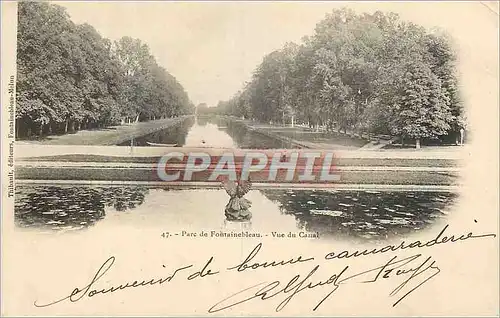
(410, 273)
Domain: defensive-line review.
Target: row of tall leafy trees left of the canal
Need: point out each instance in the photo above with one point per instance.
(71, 78)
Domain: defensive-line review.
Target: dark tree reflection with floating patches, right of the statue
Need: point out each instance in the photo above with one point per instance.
(362, 214)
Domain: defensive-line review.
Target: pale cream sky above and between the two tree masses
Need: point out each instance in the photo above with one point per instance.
(212, 48)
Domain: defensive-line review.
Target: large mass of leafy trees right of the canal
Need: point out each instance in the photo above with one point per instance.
(361, 73)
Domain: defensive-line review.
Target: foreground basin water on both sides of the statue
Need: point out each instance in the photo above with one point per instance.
(354, 214)
